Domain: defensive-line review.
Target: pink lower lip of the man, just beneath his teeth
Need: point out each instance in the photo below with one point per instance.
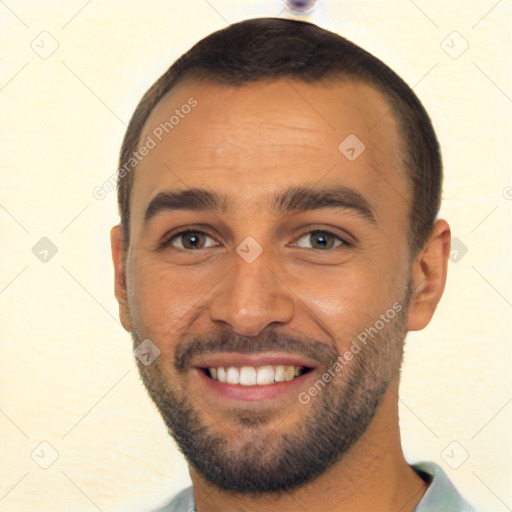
(254, 393)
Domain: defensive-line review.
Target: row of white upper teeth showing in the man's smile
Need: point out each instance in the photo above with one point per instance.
(251, 375)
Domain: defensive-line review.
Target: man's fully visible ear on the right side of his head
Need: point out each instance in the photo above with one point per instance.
(428, 275)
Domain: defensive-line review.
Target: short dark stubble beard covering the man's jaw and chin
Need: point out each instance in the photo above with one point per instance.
(268, 460)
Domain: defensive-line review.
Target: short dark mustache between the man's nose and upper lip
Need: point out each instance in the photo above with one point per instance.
(222, 342)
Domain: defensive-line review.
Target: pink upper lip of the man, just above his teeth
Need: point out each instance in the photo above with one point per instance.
(256, 359)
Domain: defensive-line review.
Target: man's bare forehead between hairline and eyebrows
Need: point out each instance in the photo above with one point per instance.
(250, 141)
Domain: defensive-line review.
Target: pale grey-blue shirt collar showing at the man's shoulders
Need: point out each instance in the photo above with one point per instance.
(441, 495)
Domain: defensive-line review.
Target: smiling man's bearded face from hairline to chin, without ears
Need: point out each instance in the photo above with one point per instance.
(207, 299)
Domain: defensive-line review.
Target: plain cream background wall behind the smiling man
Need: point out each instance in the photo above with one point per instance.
(67, 375)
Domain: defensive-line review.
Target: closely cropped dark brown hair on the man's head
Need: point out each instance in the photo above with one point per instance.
(274, 48)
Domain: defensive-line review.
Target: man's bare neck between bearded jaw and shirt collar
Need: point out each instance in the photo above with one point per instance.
(372, 475)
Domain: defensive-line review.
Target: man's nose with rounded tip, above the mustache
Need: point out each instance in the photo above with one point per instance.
(251, 297)
